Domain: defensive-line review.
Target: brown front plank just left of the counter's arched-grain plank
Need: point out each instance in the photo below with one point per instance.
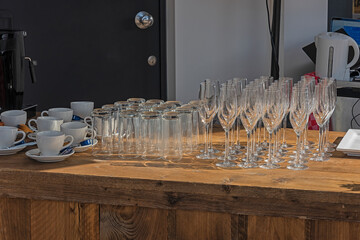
(63, 220)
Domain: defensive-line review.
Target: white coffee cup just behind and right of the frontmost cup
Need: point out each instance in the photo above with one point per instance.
(78, 130)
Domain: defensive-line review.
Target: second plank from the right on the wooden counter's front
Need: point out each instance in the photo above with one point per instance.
(280, 228)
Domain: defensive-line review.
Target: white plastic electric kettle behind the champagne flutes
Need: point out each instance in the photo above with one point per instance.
(332, 51)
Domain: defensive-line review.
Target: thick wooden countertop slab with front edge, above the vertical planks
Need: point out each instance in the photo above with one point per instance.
(329, 190)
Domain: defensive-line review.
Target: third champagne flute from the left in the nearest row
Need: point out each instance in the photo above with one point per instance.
(271, 113)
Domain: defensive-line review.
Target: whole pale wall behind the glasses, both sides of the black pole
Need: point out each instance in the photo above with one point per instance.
(221, 39)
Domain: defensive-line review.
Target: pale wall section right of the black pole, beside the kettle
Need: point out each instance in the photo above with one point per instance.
(303, 20)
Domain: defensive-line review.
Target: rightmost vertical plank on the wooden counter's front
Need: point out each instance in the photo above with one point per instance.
(334, 230)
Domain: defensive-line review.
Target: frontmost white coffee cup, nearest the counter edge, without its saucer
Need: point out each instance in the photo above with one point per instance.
(50, 143)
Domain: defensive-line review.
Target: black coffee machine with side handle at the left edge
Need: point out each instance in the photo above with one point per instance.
(12, 69)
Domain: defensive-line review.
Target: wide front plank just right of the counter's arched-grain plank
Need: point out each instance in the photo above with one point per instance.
(202, 225)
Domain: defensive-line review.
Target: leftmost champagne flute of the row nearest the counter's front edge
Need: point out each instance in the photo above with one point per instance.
(227, 115)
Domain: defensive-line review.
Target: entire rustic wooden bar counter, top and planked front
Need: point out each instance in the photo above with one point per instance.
(87, 198)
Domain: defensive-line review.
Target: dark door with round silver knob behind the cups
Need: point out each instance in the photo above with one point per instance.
(91, 50)
